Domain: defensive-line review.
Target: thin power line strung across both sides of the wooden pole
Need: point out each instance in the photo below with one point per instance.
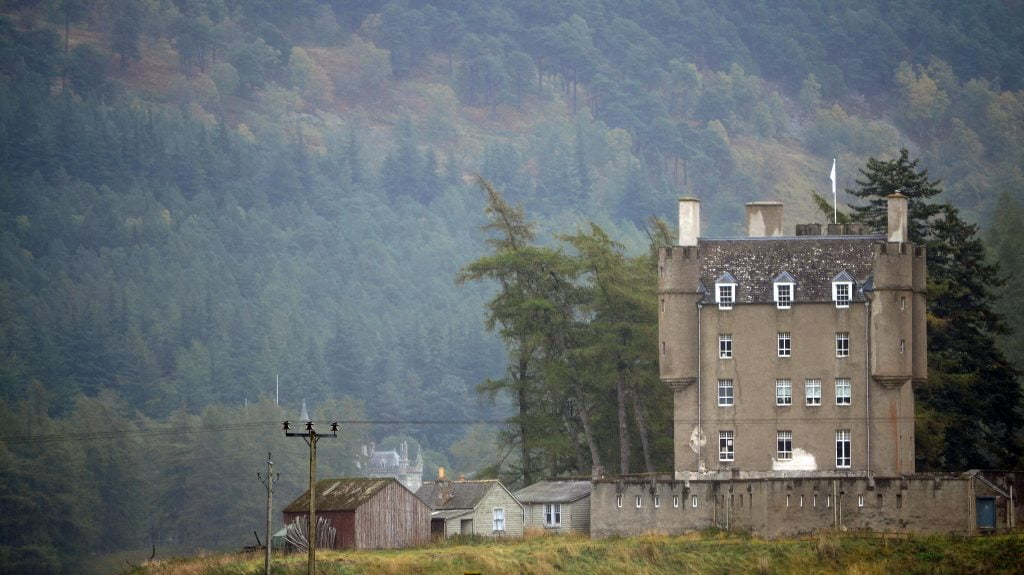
(89, 436)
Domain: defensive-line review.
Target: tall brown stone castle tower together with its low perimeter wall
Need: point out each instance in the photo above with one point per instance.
(793, 363)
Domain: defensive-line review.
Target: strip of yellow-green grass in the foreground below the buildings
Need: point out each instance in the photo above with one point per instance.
(708, 553)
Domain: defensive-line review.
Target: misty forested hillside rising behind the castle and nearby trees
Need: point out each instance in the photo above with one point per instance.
(199, 197)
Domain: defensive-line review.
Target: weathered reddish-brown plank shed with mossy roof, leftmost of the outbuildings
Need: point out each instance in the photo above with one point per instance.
(367, 513)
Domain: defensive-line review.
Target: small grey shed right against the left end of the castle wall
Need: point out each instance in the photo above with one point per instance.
(558, 506)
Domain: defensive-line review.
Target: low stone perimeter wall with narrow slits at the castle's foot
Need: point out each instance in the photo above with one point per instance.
(802, 503)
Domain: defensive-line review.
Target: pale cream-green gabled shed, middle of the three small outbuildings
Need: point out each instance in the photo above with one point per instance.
(473, 508)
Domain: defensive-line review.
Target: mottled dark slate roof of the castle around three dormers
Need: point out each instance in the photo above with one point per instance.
(813, 261)
